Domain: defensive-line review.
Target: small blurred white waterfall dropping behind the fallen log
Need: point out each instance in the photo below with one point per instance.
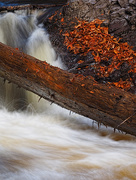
(21, 31)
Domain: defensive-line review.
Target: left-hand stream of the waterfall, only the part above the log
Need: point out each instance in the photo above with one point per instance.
(16, 29)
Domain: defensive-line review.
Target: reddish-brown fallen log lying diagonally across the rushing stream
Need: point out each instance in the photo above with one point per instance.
(104, 103)
